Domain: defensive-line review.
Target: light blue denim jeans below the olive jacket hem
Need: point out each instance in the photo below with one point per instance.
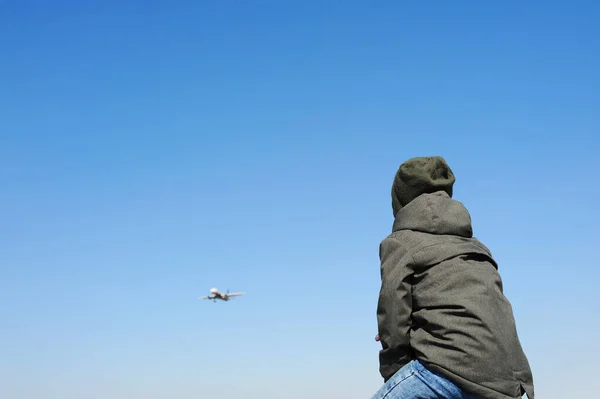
(414, 381)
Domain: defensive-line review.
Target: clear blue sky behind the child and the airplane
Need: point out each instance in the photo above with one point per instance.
(152, 150)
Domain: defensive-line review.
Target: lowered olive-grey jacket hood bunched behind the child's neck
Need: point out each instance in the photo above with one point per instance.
(435, 213)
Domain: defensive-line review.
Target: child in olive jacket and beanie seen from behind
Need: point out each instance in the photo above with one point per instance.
(445, 327)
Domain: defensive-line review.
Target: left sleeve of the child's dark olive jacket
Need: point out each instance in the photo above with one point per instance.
(394, 307)
